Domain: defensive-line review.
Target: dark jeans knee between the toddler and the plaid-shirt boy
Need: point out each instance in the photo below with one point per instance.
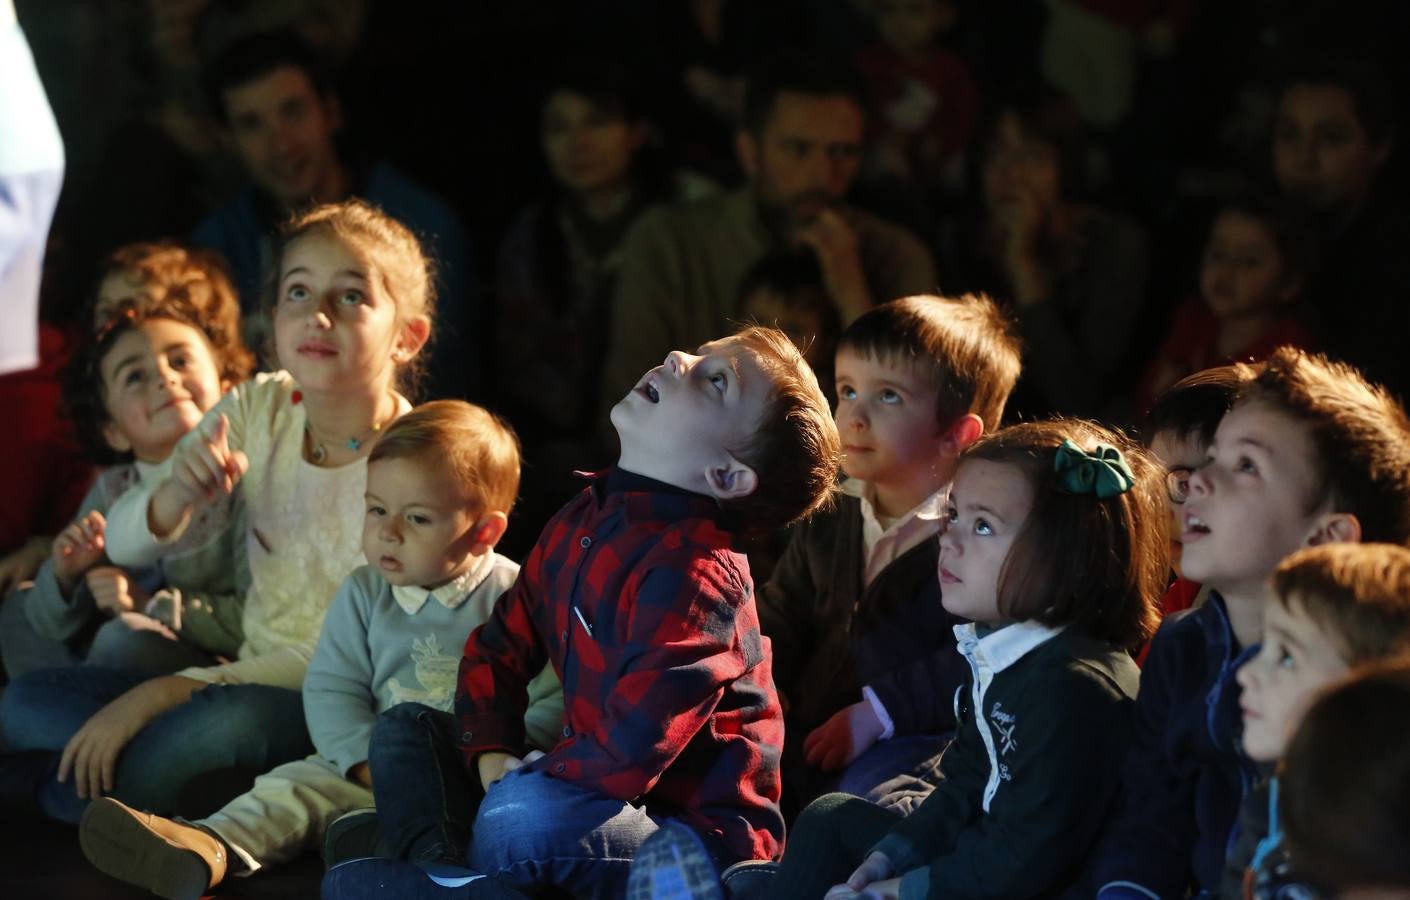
(427, 799)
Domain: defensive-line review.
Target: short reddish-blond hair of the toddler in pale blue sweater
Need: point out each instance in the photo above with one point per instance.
(479, 448)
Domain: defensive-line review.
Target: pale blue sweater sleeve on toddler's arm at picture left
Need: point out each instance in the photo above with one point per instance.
(338, 691)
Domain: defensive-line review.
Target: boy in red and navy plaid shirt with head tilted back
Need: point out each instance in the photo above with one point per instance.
(638, 599)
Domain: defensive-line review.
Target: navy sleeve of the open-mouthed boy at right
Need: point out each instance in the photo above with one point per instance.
(1146, 850)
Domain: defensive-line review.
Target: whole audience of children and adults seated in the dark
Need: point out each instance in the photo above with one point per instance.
(850, 527)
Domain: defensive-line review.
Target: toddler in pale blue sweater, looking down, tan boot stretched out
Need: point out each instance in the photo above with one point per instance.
(439, 487)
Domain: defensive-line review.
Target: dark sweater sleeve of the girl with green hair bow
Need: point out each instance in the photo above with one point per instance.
(1053, 796)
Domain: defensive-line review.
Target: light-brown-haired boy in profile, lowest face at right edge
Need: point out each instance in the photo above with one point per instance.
(1337, 609)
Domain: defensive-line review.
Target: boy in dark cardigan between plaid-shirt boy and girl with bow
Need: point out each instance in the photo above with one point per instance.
(862, 648)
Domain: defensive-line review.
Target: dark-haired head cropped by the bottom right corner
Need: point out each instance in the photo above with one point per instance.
(1344, 782)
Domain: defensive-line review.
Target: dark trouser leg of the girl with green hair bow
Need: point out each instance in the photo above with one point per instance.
(828, 843)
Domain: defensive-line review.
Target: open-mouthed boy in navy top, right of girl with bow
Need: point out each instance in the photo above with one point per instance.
(1309, 455)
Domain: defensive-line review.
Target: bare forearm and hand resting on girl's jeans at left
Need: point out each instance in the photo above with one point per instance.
(92, 753)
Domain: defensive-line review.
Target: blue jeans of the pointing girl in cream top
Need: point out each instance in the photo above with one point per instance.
(223, 727)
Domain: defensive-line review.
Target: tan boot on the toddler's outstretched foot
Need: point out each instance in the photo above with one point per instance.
(167, 858)
